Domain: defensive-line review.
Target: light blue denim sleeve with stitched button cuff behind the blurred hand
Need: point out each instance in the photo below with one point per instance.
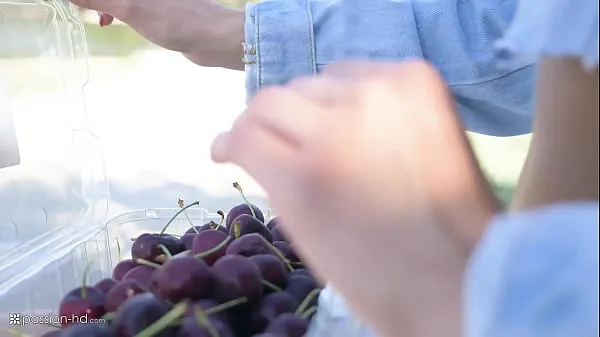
(290, 38)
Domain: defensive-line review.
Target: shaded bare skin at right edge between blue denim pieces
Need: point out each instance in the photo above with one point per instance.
(562, 164)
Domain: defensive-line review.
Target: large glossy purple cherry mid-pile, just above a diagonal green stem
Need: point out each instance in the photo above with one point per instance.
(184, 277)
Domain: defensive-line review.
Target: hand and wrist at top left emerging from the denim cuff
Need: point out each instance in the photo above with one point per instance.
(203, 30)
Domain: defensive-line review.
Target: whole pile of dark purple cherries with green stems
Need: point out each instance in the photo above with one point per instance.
(239, 278)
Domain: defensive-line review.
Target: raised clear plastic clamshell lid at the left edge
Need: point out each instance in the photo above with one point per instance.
(53, 186)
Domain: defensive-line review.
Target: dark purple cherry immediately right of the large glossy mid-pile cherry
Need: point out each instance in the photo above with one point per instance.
(237, 277)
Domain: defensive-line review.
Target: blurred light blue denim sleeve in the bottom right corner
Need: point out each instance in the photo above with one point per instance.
(536, 274)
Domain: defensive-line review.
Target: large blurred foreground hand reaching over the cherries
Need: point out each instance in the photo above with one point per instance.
(370, 170)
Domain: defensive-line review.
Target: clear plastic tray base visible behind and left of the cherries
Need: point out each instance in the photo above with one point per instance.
(42, 290)
